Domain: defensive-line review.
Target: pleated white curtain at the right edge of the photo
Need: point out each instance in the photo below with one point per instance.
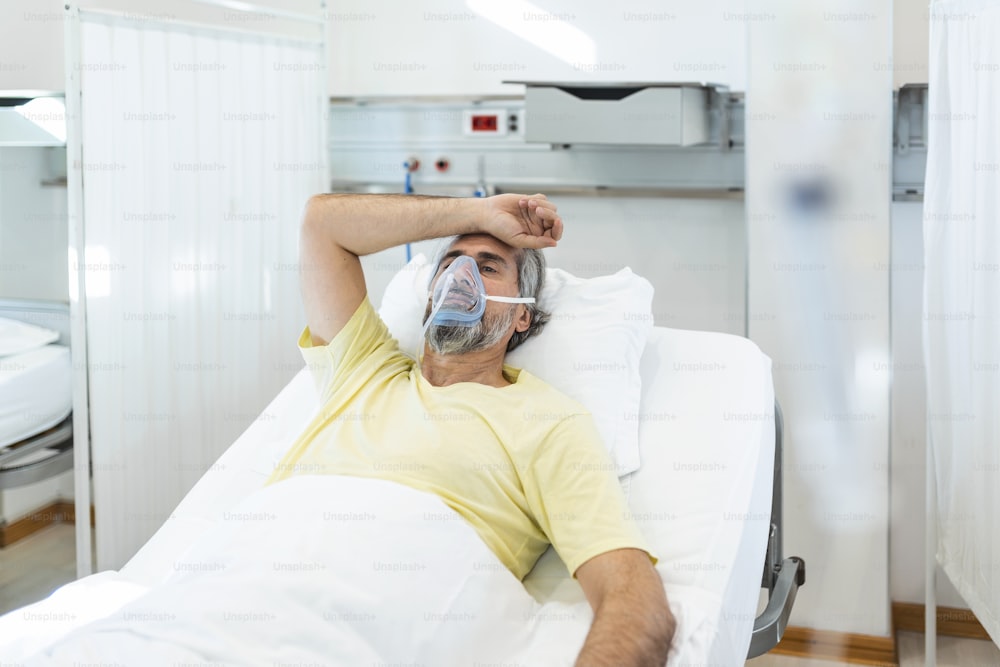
(962, 297)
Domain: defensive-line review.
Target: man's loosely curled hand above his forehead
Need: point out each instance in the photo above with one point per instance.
(522, 221)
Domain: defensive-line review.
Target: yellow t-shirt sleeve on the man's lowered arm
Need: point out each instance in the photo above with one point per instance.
(574, 494)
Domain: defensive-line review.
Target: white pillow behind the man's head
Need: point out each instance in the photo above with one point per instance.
(589, 350)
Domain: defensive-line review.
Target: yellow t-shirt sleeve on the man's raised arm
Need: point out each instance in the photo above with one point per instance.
(353, 353)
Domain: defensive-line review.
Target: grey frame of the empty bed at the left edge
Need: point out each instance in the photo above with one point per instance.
(51, 315)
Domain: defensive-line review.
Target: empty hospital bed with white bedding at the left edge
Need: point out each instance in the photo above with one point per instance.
(36, 429)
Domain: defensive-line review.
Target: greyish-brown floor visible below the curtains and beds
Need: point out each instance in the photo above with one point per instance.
(33, 567)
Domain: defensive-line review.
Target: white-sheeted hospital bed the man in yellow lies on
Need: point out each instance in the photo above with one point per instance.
(707, 496)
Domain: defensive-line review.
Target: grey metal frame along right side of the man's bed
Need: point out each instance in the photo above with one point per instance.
(782, 576)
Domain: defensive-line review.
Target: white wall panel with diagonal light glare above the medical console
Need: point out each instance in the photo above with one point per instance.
(449, 47)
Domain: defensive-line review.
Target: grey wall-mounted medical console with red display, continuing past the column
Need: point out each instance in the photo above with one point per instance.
(622, 139)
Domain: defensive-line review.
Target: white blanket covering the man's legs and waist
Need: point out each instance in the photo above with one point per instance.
(333, 571)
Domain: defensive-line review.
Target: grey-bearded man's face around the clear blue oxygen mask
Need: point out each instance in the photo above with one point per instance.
(497, 263)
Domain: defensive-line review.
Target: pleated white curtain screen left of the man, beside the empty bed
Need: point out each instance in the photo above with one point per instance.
(200, 148)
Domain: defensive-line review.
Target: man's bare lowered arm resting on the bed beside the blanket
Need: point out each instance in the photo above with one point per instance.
(633, 625)
